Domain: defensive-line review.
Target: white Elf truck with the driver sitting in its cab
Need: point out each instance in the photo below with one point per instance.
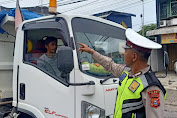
(84, 89)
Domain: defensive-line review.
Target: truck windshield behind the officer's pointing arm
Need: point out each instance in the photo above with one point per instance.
(103, 38)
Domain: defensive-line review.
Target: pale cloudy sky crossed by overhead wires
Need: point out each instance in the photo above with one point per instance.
(90, 7)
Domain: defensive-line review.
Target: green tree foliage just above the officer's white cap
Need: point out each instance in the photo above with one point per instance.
(148, 28)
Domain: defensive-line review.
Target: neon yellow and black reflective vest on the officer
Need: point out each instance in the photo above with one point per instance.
(129, 102)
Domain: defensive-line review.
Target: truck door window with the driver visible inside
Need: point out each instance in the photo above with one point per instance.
(40, 50)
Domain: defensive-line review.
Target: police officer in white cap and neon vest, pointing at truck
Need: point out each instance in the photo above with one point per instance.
(140, 94)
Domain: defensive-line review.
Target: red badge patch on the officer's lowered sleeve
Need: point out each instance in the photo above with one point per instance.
(154, 95)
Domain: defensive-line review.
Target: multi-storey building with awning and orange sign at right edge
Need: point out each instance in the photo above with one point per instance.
(166, 31)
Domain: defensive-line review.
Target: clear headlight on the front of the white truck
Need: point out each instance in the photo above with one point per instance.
(91, 111)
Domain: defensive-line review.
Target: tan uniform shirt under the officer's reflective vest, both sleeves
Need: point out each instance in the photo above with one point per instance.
(117, 69)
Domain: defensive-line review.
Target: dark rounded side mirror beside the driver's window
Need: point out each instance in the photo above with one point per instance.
(65, 59)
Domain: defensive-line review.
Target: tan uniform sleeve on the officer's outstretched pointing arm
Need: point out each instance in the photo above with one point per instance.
(108, 64)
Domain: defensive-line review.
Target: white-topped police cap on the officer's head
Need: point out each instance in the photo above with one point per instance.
(135, 40)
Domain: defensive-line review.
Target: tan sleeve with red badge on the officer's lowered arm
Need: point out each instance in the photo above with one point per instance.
(154, 107)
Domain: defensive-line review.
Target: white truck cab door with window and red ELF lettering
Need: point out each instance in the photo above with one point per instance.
(42, 90)
